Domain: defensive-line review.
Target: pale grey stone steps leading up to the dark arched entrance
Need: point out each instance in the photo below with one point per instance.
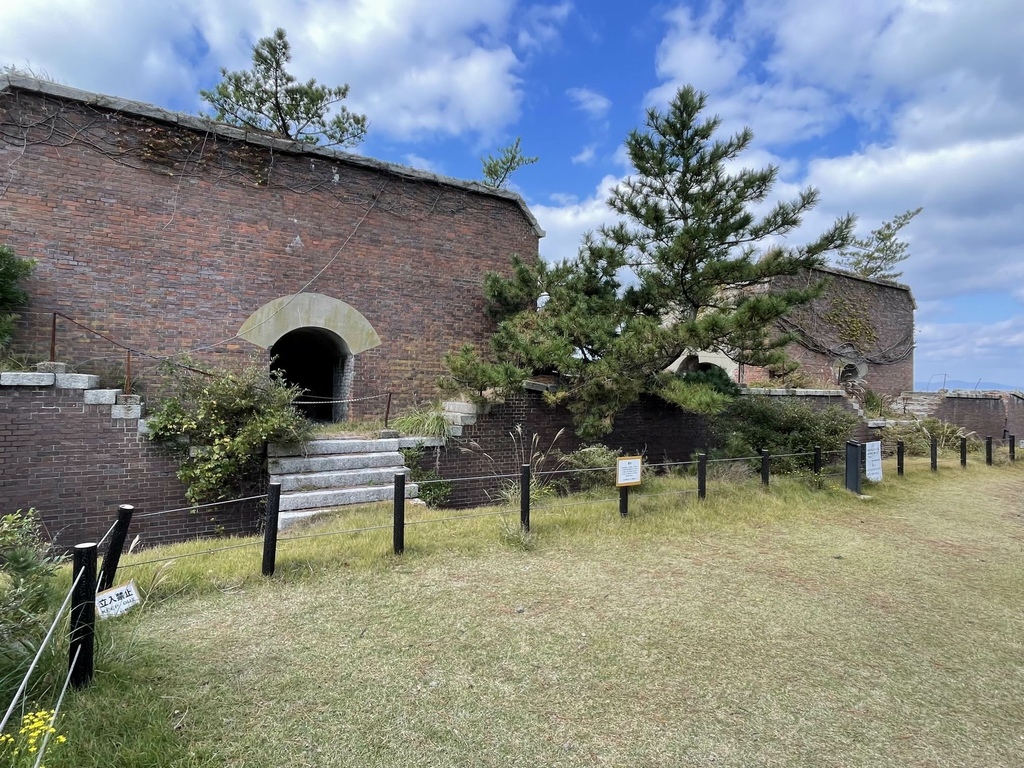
(334, 473)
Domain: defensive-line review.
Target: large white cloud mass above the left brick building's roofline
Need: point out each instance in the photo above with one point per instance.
(415, 69)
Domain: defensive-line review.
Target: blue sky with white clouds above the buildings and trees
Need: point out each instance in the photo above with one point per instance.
(882, 105)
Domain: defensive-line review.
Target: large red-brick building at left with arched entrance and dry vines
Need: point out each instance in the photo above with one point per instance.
(174, 235)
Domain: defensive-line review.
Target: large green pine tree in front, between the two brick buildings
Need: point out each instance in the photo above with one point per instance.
(686, 270)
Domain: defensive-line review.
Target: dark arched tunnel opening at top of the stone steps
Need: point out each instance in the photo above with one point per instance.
(315, 360)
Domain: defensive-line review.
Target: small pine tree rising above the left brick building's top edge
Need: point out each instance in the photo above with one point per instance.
(270, 99)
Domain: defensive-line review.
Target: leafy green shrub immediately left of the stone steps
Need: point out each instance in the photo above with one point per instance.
(220, 426)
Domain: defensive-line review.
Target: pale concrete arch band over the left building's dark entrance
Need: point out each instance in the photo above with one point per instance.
(281, 317)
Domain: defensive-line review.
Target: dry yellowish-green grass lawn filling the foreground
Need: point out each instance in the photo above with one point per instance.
(781, 628)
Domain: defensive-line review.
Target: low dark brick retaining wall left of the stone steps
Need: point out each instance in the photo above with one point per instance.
(75, 465)
